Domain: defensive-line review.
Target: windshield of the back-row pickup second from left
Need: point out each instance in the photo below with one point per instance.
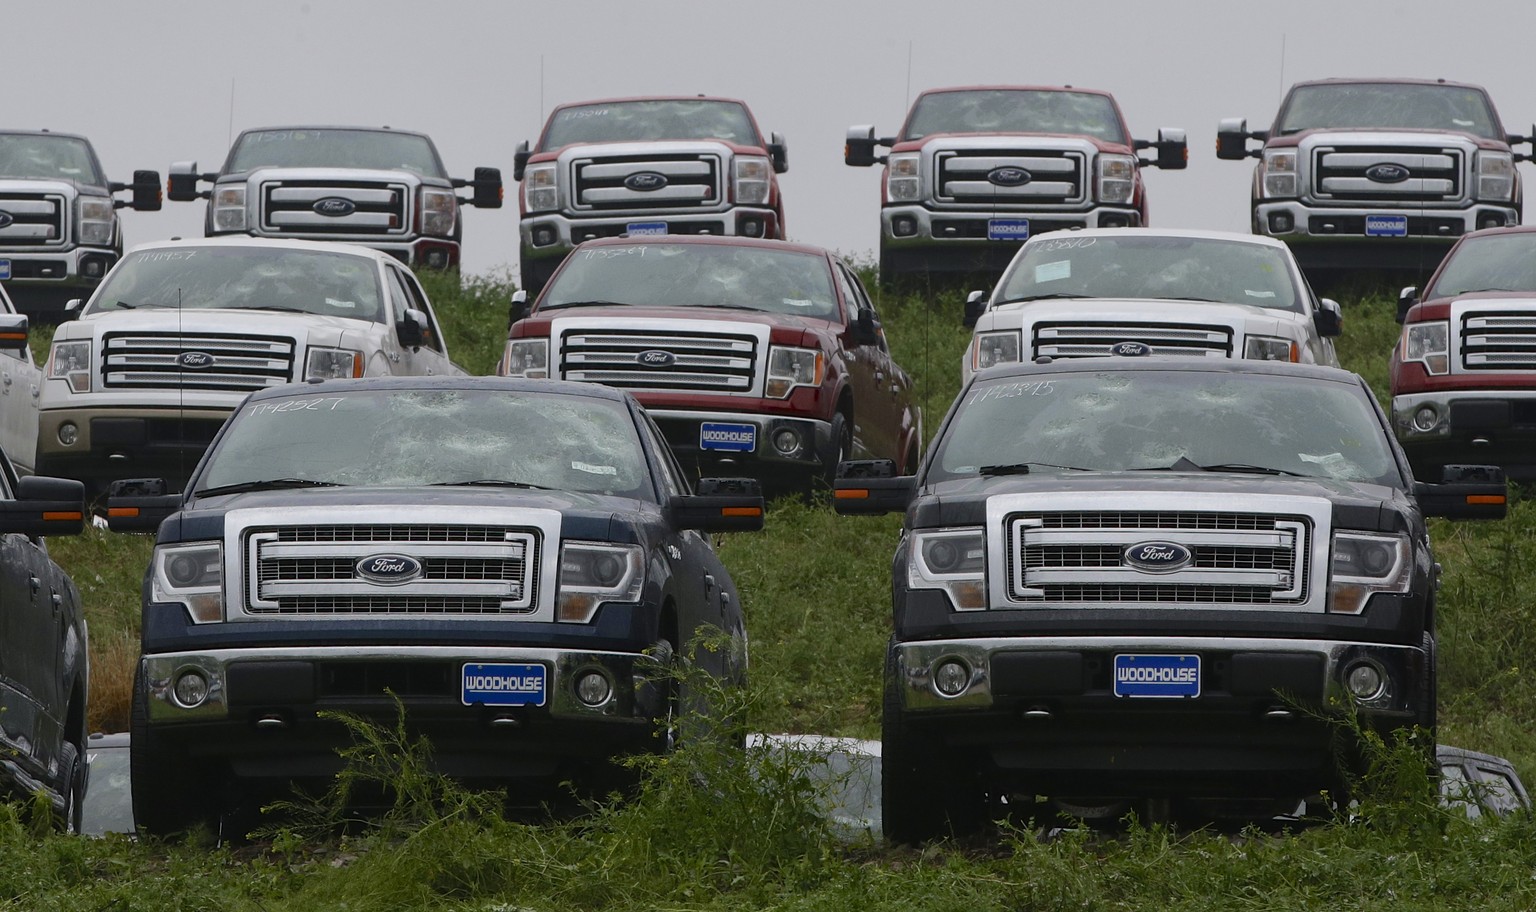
(336, 148)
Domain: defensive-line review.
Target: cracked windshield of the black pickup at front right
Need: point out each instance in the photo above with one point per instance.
(1167, 420)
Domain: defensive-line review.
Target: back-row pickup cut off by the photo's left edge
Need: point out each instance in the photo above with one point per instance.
(59, 228)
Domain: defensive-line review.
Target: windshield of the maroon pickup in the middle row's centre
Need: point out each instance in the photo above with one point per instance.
(697, 276)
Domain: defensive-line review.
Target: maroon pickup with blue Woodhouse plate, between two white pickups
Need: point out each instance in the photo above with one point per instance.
(753, 357)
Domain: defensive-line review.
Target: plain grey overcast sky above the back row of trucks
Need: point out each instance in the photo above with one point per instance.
(154, 82)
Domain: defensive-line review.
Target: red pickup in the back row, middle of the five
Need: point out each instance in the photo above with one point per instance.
(646, 167)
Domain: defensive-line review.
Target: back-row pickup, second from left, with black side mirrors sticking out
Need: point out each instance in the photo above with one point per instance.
(380, 188)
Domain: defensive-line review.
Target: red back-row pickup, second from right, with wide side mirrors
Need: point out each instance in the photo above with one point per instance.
(976, 171)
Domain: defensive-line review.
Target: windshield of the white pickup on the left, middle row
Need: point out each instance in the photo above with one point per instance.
(245, 279)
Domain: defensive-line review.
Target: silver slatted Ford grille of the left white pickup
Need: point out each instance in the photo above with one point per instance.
(234, 363)
